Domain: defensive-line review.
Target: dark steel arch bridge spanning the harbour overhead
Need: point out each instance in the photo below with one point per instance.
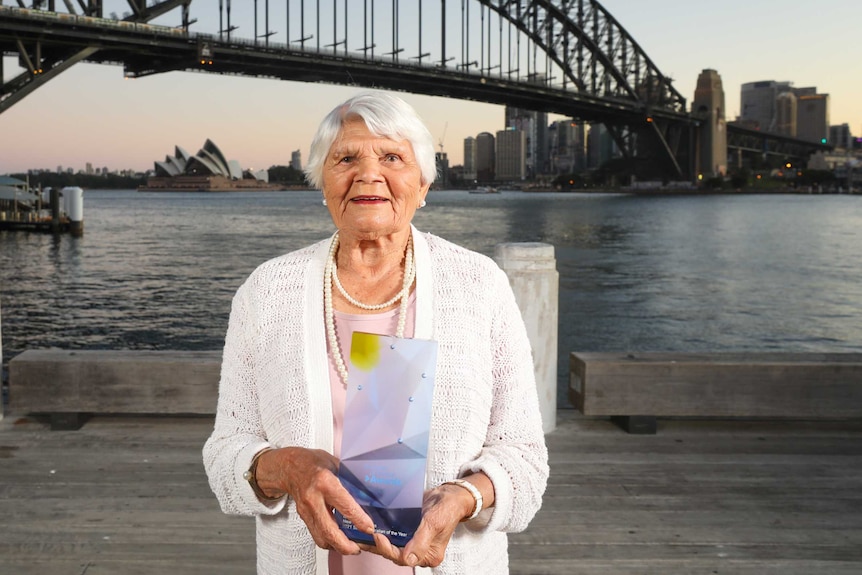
(568, 57)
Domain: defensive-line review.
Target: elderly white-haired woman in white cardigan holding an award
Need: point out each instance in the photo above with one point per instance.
(273, 452)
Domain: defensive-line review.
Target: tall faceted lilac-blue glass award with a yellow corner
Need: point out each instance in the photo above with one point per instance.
(387, 417)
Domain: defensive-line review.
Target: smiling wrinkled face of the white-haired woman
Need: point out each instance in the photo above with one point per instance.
(371, 184)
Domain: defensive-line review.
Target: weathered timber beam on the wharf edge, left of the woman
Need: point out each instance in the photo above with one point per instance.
(70, 384)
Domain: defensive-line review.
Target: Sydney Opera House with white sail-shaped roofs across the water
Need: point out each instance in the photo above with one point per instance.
(206, 171)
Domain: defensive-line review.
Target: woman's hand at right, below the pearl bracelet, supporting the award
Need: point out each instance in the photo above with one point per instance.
(442, 509)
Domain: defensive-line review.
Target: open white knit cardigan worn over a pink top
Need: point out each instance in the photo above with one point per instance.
(274, 391)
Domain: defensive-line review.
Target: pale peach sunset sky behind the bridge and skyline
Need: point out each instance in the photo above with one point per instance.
(91, 114)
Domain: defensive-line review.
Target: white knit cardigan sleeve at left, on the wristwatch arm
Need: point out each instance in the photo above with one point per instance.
(238, 432)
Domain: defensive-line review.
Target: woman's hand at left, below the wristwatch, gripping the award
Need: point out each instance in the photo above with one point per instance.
(309, 477)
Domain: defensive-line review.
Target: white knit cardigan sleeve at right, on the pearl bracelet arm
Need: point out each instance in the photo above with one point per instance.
(514, 455)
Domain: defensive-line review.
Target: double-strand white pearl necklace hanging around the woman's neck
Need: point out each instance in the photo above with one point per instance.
(330, 276)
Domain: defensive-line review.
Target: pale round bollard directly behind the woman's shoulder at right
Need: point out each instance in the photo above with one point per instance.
(532, 271)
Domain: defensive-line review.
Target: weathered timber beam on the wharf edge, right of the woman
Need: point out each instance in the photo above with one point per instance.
(635, 388)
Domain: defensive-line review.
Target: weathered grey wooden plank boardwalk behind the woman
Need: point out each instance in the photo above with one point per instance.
(128, 496)
